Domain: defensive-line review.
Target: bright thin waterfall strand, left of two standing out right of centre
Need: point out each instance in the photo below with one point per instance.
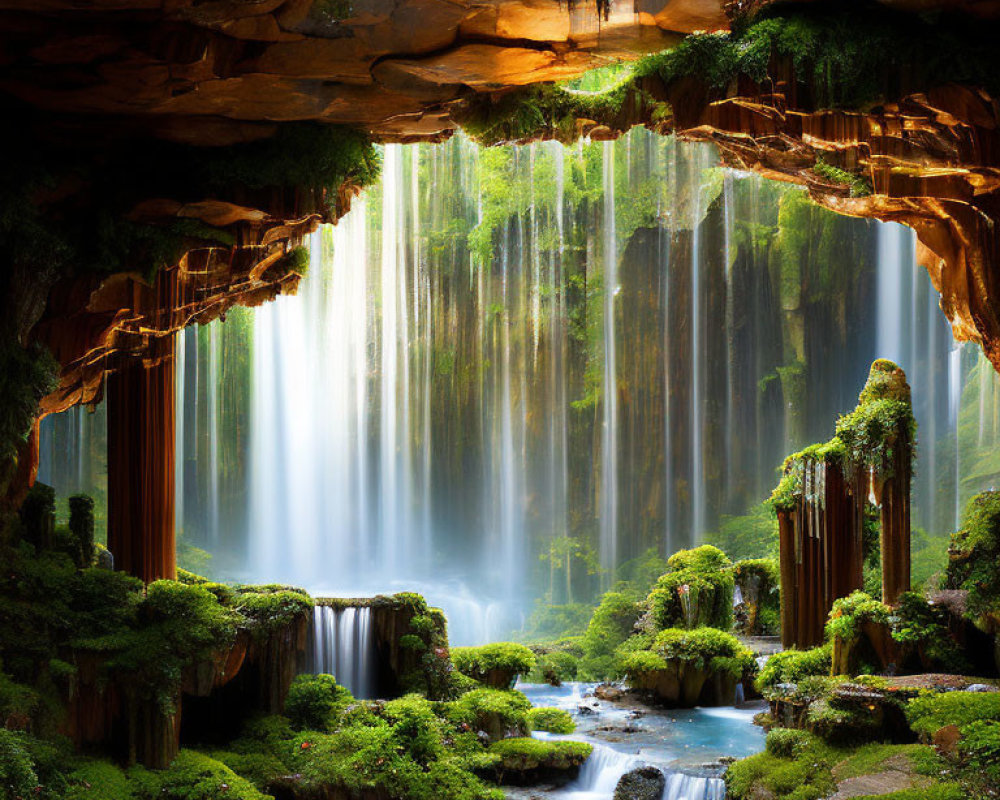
(609, 445)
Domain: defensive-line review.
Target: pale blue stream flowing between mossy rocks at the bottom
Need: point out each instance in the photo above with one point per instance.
(685, 745)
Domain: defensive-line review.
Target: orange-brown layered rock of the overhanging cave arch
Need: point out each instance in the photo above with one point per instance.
(185, 84)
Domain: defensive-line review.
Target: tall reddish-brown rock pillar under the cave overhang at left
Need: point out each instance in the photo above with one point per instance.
(140, 399)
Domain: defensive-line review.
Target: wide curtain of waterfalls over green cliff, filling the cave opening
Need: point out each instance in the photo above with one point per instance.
(469, 396)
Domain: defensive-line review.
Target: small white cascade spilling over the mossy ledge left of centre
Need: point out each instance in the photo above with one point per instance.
(342, 644)
